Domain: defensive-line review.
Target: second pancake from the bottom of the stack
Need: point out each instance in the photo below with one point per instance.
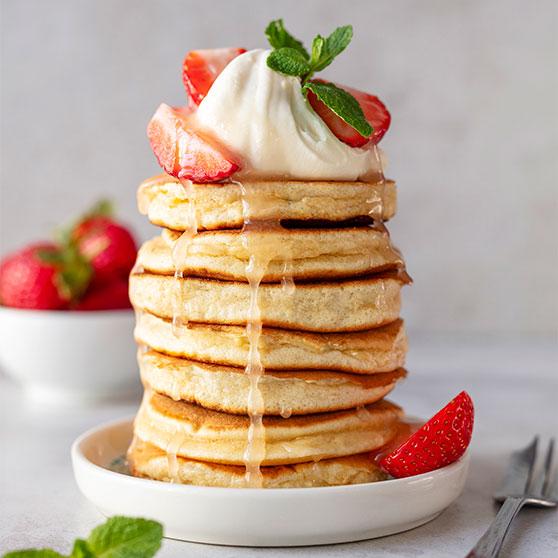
(201, 434)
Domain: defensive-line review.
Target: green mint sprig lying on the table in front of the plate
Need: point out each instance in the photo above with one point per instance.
(118, 537)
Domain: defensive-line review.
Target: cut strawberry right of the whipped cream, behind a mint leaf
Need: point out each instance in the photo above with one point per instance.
(374, 110)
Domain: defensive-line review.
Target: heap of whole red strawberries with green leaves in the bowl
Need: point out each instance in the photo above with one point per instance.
(87, 269)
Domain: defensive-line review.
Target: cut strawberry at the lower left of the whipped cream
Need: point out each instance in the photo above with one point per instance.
(184, 153)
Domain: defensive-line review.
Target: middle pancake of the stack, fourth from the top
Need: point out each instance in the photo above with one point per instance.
(378, 350)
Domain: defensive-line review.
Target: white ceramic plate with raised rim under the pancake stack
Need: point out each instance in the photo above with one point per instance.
(259, 517)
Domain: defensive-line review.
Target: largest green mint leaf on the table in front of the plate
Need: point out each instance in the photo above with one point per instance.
(126, 537)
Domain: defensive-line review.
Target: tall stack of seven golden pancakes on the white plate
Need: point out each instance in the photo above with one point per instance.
(331, 346)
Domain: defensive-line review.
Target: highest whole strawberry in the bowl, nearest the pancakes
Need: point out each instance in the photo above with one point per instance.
(108, 246)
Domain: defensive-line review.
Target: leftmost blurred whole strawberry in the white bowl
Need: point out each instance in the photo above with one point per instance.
(43, 277)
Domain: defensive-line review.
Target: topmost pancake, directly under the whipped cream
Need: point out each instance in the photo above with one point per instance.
(219, 206)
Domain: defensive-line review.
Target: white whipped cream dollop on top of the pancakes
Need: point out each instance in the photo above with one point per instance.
(263, 117)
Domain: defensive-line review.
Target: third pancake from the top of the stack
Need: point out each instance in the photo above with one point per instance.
(343, 305)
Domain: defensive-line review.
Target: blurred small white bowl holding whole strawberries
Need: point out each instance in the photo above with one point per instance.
(66, 356)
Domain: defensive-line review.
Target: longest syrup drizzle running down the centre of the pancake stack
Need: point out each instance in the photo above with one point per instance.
(261, 253)
